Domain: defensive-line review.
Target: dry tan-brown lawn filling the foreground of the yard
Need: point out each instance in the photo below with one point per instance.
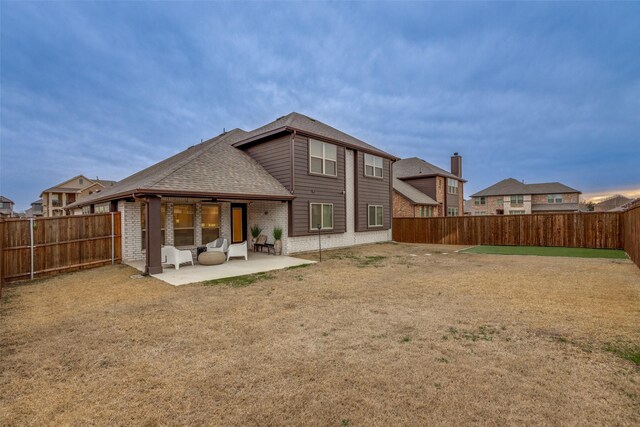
(391, 340)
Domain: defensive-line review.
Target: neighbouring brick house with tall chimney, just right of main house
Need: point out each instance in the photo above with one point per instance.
(422, 189)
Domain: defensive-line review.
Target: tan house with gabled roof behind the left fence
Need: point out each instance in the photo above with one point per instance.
(55, 200)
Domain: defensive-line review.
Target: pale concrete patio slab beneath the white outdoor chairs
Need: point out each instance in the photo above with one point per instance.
(257, 263)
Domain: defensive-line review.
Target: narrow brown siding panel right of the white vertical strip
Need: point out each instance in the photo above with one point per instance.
(372, 191)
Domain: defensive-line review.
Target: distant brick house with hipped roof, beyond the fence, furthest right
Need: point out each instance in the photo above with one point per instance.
(512, 197)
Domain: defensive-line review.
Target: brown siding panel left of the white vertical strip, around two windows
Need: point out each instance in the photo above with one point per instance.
(309, 188)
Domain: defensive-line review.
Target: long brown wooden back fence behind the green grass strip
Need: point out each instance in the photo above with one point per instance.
(576, 230)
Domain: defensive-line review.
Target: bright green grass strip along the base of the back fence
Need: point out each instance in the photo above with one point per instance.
(548, 251)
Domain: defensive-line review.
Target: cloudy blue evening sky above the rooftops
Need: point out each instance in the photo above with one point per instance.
(537, 91)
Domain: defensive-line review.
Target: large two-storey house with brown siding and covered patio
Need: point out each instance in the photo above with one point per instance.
(295, 173)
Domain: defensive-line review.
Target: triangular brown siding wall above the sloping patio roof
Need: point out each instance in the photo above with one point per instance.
(275, 157)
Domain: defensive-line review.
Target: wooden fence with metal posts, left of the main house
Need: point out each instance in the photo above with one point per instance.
(41, 247)
